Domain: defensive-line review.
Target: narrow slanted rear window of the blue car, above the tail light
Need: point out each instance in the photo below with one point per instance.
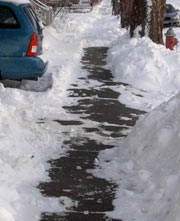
(33, 18)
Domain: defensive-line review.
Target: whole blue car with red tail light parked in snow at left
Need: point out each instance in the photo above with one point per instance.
(20, 41)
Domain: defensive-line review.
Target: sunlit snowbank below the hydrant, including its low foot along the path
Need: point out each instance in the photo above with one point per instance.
(146, 66)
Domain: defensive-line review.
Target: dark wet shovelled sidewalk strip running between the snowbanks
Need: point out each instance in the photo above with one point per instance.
(101, 121)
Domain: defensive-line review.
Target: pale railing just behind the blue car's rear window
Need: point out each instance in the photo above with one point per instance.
(44, 12)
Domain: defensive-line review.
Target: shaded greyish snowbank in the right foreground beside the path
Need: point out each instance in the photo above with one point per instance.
(147, 167)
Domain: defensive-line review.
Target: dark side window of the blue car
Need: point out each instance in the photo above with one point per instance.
(7, 18)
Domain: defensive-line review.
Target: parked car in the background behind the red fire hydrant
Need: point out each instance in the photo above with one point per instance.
(172, 16)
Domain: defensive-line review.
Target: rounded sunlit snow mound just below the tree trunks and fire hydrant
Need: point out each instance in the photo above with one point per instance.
(146, 65)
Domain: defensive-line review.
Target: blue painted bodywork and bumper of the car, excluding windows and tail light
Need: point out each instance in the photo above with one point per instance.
(14, 42)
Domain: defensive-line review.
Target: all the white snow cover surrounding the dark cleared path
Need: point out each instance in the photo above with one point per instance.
(145, 166)
